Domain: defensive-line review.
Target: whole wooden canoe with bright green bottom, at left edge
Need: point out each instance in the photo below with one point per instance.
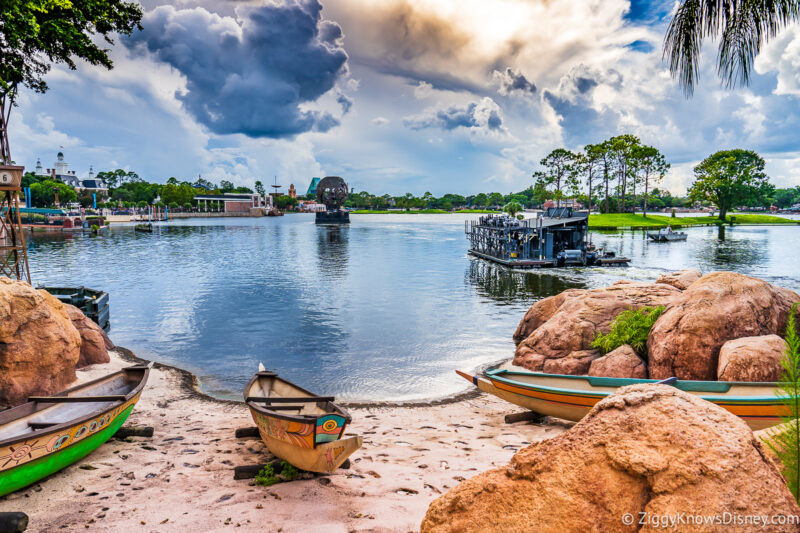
(48, 433)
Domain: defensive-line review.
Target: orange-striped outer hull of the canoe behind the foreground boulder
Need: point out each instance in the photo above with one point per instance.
(572, 404)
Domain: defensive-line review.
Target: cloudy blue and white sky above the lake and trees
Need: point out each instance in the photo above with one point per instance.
(396, 96)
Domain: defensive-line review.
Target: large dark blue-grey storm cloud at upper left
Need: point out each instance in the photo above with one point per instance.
(255, 74)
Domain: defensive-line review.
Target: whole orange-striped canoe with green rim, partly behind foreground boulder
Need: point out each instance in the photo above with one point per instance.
(572, 397)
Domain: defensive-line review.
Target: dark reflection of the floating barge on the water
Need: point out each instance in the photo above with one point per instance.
(506, 286)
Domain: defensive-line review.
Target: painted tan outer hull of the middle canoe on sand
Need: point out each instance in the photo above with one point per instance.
(294, 443)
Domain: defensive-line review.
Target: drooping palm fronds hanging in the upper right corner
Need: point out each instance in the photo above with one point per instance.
(742, 26)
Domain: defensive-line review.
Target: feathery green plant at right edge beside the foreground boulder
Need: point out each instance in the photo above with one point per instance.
(784, 440)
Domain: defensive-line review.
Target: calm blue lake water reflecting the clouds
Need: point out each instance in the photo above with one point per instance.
(383, 309)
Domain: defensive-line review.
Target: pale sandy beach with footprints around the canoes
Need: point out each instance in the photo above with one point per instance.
(182, 479)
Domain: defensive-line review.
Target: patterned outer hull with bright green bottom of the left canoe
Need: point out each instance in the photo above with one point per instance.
(22, 464)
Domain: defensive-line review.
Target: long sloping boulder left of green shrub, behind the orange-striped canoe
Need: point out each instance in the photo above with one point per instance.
(576, 321)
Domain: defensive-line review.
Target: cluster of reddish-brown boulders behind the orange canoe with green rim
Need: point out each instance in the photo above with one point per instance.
(702, 313)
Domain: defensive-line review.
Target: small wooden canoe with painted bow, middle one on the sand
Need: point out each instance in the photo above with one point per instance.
(298, 426)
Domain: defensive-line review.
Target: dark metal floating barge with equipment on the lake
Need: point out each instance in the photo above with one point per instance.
(557, 238)
